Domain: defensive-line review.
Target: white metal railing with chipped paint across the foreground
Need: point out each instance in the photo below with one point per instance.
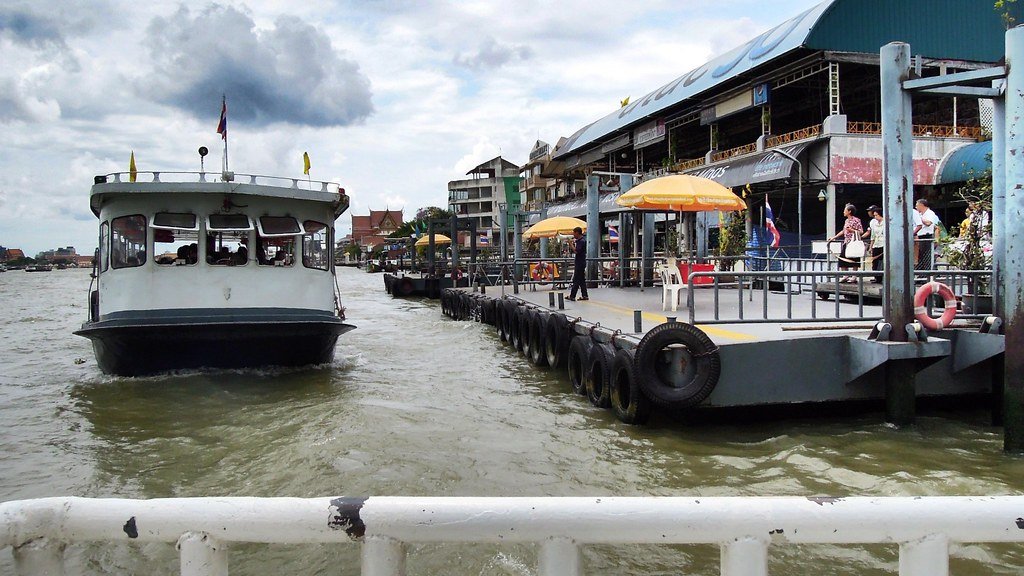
(744, 528)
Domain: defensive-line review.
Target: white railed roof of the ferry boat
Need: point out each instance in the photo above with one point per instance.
(206, 183)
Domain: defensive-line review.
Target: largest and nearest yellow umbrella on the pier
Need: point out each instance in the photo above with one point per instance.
(681, 193)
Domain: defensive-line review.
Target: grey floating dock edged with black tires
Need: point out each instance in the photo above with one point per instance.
(625, 353)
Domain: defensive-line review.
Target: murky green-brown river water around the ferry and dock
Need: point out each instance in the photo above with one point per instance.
(417, 404)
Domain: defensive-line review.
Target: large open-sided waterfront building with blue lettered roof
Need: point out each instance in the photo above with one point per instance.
(796, 114)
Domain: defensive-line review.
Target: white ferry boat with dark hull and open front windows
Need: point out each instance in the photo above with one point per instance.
(233, 272)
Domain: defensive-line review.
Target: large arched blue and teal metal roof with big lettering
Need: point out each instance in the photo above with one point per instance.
(969, 30)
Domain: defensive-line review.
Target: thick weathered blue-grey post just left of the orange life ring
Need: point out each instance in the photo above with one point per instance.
(898, 192)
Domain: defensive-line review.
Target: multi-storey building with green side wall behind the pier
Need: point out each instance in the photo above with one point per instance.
(490, 188)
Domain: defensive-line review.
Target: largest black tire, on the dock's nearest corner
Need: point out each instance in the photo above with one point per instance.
(677, 364)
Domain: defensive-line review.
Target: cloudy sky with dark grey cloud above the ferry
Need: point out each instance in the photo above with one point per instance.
(391, 99)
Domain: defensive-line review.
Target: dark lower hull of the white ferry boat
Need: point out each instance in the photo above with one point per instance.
(154, 342)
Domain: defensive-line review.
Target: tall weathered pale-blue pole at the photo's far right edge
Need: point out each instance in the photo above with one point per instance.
(1013, 275)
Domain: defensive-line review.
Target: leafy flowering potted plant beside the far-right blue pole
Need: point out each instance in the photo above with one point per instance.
(972, 249)
